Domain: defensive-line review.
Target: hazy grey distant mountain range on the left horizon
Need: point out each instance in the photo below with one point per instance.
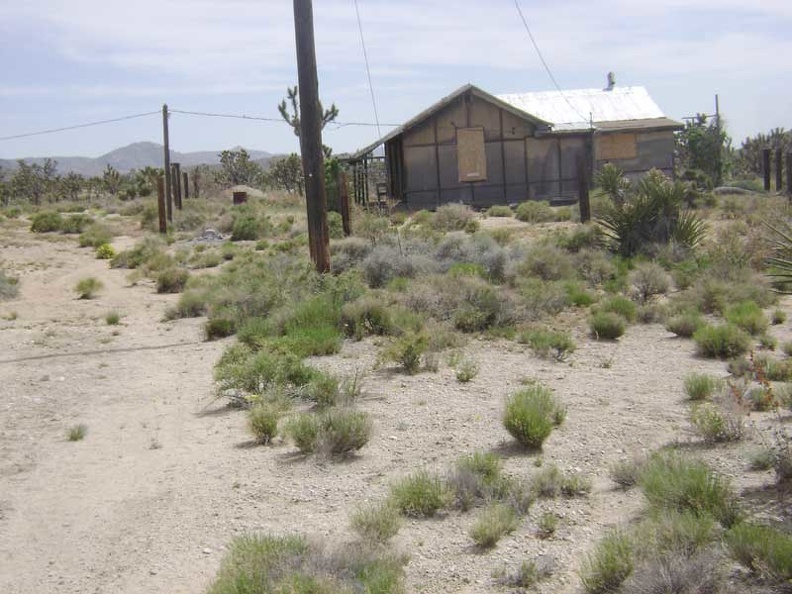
(134, 156)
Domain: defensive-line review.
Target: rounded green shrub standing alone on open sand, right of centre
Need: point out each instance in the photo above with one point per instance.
(531, 414)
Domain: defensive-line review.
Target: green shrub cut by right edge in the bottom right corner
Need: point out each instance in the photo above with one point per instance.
(761, 549)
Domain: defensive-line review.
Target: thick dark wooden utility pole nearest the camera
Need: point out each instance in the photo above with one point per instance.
(311, 136)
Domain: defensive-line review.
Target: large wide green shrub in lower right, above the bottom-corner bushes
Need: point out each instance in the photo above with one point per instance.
(670, 481)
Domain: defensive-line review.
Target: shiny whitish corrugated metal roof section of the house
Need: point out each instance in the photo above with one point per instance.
(576, 109)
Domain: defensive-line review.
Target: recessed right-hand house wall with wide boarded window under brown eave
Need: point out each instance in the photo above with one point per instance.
(635, 153)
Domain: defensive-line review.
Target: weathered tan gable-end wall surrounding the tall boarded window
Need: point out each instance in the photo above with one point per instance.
(519, 167)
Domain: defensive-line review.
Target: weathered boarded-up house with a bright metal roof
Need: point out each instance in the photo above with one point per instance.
(482, 149)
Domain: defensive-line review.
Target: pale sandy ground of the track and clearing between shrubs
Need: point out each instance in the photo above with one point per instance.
(167, 476)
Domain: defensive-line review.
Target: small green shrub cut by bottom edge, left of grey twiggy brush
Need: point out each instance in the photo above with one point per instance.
(608, 565)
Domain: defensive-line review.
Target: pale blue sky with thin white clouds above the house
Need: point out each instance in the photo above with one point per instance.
(68, 62)
